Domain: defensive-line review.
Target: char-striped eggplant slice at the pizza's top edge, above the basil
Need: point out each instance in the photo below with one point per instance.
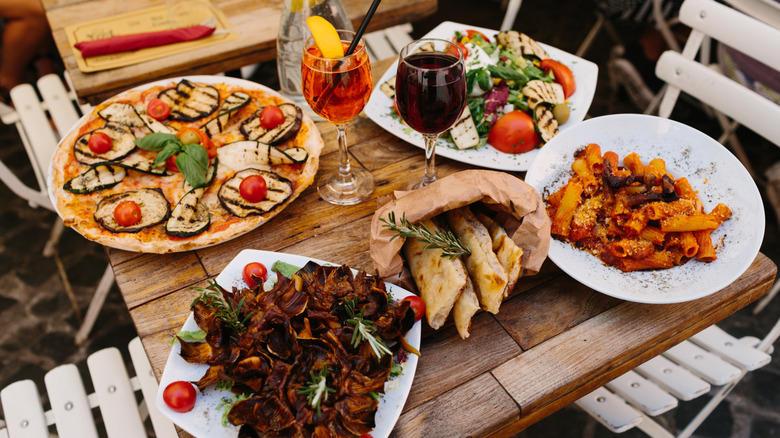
(190, 101)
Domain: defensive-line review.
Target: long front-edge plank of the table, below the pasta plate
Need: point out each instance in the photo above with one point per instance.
(574, 363)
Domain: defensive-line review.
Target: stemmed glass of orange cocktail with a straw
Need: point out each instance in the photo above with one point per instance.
(337, 89)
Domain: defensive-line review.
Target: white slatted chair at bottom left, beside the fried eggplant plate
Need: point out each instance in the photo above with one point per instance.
(71, 408)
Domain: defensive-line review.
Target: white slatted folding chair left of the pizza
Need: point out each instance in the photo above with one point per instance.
(31, 117)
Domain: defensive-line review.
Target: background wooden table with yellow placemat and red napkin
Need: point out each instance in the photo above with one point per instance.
(255, 21)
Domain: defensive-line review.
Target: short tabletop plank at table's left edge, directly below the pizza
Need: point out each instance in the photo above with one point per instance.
(150, 276)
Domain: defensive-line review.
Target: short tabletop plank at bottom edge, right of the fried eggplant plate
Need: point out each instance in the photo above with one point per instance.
(478, 406)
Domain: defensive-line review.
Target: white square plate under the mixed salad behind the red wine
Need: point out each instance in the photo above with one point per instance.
(380, 107)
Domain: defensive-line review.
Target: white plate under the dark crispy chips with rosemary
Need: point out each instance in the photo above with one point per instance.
(206, 421)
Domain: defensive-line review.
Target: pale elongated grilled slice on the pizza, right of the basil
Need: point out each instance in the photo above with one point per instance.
(243, 154)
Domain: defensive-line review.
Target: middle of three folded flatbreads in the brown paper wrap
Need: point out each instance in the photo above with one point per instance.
(486, 271)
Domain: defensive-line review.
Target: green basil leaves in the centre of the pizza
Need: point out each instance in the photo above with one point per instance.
(191, 159)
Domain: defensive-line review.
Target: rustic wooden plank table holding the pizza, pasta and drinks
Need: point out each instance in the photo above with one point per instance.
(553, 342)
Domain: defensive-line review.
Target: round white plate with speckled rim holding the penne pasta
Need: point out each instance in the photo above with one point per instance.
(712, 171)
